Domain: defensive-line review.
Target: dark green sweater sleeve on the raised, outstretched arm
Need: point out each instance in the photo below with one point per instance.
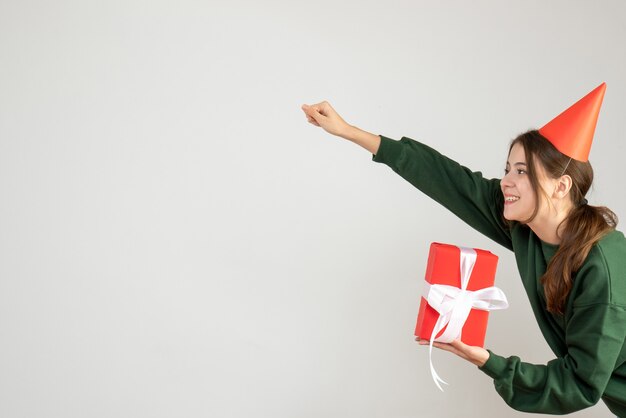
(477, 201)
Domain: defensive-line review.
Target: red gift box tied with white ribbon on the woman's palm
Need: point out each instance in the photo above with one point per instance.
(446, 267)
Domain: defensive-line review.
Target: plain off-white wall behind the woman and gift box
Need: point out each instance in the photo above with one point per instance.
(177, 240)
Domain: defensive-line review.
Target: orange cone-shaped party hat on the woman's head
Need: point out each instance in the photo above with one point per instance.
(572, 131)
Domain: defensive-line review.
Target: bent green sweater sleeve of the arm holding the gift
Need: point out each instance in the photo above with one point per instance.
(570, 383)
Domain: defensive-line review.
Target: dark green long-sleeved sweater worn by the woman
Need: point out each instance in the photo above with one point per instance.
(588, 340)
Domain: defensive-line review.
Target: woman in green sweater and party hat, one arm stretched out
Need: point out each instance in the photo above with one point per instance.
(571, 259)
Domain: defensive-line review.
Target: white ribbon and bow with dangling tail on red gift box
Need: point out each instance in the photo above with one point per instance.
(454, 305)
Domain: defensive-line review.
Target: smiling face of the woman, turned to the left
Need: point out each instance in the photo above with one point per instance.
(519, 196)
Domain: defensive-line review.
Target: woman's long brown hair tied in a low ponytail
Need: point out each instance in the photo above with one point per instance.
(584, 226)
